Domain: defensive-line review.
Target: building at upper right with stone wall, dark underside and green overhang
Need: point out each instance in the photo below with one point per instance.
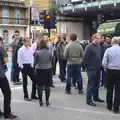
(84, 16)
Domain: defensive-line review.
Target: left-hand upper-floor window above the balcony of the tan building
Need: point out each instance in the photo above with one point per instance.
(5, 15)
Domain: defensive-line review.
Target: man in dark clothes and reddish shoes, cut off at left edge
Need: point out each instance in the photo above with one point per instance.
(4, 85)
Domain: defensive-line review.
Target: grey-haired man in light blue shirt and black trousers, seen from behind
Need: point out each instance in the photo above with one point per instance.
(111, 64)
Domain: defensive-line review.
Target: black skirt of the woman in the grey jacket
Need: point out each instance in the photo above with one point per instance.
(43, 77)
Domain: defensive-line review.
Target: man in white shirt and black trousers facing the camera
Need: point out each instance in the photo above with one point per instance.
(25, 62)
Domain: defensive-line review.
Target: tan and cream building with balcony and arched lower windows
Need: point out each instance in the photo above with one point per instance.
(13, 19)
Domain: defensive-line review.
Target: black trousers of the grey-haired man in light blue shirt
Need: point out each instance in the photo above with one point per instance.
(113, 83)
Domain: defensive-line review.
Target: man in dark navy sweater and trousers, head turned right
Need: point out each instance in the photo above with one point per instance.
(92, 61)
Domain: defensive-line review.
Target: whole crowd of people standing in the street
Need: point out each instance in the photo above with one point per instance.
(100, 59)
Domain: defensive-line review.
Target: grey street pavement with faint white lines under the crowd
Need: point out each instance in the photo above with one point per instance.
(63, 106)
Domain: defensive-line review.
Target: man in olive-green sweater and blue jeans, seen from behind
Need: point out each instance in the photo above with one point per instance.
(74, 54)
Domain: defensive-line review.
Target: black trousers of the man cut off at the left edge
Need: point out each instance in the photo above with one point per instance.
(4, 85)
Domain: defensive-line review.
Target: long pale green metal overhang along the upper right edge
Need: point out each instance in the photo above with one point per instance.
(90, 8)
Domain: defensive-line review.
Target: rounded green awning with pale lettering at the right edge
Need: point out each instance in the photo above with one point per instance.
(109, 28)
